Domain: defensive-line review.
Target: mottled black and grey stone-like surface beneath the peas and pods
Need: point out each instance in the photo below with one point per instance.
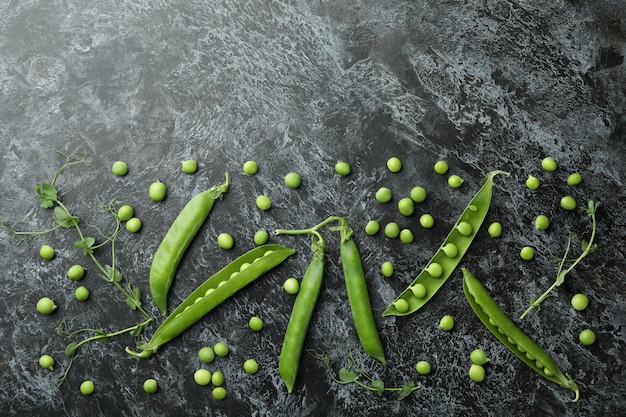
(297, 86)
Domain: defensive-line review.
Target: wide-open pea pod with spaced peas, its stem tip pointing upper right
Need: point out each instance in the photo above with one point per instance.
(449, 254)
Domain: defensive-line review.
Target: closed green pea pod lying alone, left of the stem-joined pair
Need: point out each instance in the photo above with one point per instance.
(177, 240)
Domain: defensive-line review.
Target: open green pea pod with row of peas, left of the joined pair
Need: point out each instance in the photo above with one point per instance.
(215, 290)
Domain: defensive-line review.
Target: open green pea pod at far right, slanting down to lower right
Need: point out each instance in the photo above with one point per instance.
(512, 336)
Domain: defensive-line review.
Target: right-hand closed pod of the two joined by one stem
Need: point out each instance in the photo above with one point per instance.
(358, 295)
